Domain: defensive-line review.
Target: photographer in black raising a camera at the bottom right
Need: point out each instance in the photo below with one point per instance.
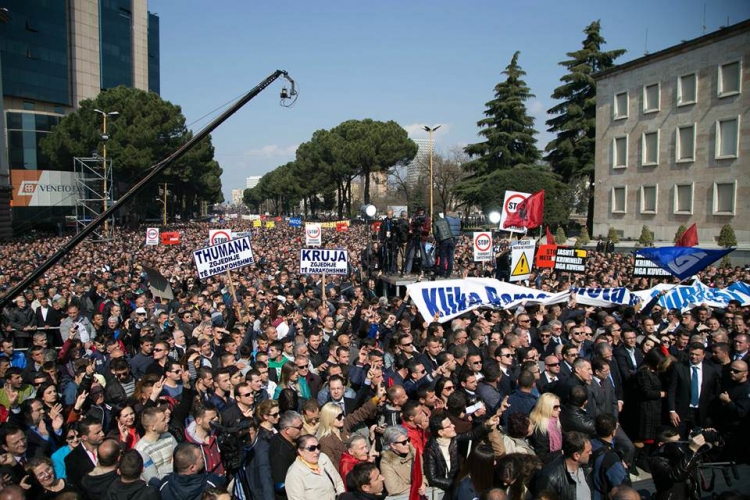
(674, 467)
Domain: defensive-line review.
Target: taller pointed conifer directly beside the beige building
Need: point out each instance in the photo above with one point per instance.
(571, 153)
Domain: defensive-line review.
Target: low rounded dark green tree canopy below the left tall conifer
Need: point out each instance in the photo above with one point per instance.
(489, 191)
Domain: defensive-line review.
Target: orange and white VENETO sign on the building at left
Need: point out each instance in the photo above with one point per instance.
(43, 188)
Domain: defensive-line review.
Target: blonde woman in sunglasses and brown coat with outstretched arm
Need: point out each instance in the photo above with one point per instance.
(335, 427)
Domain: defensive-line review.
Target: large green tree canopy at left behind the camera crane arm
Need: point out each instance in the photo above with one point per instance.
(147, 130)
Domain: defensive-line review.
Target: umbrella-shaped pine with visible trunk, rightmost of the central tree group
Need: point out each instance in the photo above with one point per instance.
(369, 146)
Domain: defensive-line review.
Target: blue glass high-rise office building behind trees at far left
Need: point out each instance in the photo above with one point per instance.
(53, 54)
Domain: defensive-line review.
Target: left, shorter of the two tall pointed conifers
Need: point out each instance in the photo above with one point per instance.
(508, 129)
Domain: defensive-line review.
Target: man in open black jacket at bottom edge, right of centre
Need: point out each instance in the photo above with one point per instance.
(565, 475)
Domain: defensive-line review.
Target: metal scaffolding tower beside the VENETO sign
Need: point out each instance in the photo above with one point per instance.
(94, 182)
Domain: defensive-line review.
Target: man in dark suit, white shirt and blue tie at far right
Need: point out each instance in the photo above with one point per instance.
(693, 388)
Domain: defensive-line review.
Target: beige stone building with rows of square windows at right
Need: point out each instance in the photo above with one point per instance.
(673, 140)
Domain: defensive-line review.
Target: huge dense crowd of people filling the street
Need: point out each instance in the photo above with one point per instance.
(261, 383)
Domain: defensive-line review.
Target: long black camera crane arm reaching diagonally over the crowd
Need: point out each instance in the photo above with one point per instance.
(155, 170)
